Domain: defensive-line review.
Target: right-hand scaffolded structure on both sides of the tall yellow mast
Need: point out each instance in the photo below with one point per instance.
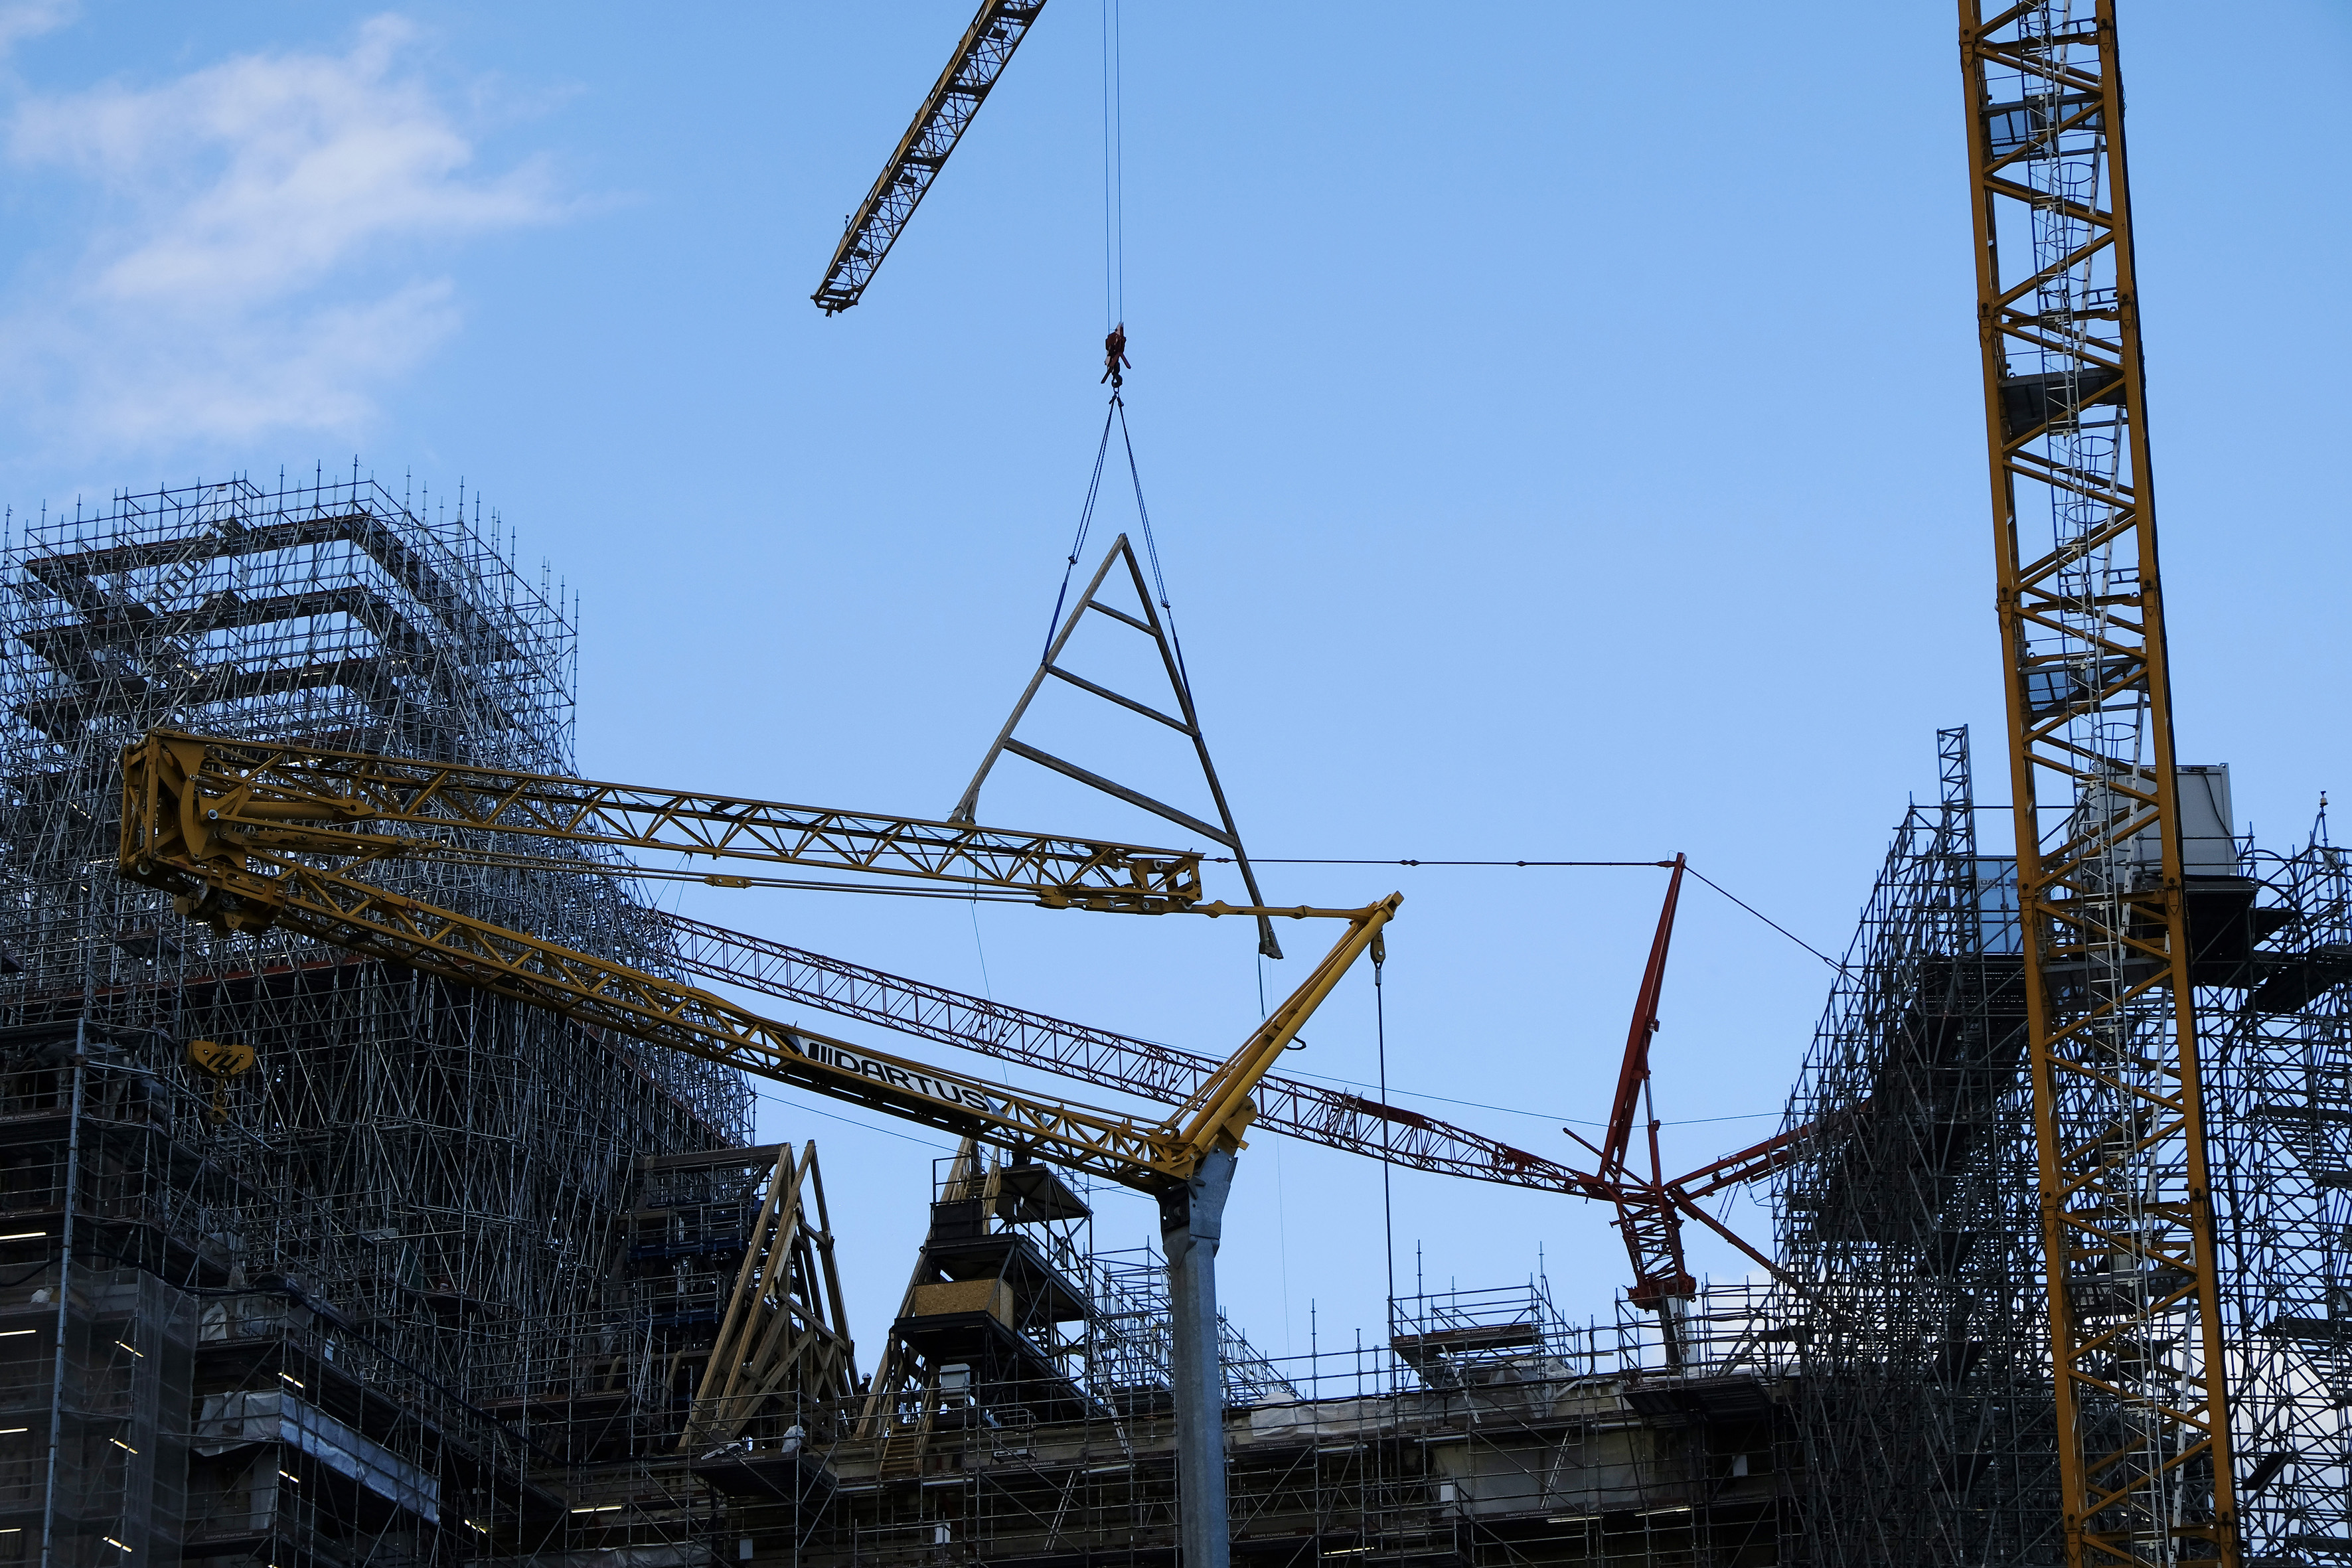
(1916, 1304)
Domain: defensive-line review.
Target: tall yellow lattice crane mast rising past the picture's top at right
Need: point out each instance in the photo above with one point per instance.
(2134, 1311)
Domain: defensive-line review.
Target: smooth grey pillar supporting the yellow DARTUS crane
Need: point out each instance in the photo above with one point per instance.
(1189, 1228)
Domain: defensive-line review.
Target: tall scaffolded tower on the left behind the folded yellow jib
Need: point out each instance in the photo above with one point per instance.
(389, 1228)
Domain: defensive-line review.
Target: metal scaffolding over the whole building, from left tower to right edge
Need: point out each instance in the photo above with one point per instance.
(453, 1280)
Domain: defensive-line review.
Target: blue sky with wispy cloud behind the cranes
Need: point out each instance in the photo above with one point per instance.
(1563, 434)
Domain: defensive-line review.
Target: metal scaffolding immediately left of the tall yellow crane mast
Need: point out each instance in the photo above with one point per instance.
(1909, 1231)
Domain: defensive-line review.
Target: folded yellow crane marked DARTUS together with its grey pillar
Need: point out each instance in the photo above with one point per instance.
(258, 836)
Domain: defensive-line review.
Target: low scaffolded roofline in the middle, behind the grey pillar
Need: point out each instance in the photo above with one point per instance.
(1031, 1421)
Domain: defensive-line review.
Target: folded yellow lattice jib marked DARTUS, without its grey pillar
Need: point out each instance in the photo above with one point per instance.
(250, 869)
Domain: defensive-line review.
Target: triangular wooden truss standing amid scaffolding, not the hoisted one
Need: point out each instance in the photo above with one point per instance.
(784, 1355)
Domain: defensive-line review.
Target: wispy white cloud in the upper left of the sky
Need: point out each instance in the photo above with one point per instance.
(262, 250)
